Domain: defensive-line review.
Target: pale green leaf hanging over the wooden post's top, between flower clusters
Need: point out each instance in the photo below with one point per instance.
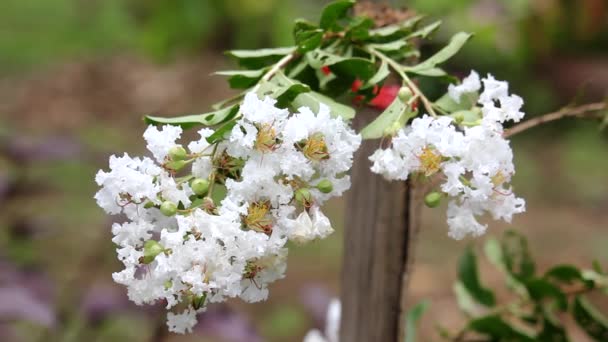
(397, 113)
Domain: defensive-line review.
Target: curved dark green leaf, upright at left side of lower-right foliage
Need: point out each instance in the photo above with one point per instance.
(468, 275)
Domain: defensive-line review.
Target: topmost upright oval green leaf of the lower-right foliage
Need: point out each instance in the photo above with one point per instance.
(518, 259)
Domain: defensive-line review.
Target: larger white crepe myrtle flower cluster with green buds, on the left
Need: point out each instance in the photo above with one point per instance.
(180, 246)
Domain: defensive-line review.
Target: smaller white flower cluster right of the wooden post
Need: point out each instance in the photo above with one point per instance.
(476, 162)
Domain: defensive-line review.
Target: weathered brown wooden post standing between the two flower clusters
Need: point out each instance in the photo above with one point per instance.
(376, 251)
